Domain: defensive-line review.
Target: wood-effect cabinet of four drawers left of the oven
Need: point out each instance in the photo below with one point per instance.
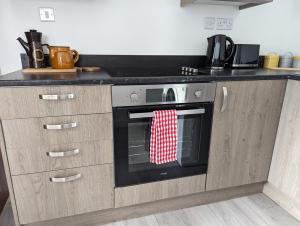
(57, 147)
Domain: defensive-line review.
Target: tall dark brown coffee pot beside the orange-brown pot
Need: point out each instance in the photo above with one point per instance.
(34, 48)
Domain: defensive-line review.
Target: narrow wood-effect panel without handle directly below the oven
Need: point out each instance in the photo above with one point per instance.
(132, 195)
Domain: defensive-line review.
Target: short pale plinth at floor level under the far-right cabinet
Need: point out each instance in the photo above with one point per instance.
(282, 200)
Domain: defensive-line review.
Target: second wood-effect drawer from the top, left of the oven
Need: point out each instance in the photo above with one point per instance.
(21, 133)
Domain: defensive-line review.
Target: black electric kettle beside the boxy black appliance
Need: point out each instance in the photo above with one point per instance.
(218, 52)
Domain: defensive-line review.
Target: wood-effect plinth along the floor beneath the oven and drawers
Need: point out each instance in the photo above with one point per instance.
(111, 215)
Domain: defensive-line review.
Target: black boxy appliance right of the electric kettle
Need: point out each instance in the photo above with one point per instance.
(245, 56)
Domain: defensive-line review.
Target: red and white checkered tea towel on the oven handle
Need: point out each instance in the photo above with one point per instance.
(163, 143)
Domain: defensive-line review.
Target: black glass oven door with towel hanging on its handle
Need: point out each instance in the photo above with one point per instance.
(132, 131)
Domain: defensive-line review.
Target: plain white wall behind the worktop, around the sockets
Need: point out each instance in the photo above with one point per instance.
(142, 26)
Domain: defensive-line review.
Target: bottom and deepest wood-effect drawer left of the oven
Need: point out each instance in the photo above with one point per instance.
(38, 198)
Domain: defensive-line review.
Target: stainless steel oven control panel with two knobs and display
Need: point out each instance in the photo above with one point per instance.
(162, 94)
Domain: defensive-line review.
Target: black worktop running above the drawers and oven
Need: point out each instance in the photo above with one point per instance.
(102, 77)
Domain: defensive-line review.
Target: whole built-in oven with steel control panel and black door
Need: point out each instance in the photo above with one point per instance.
(133, 108)
